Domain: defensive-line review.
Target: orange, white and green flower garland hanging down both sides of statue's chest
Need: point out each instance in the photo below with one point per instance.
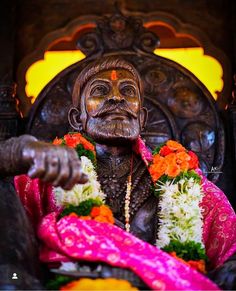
(175, 183)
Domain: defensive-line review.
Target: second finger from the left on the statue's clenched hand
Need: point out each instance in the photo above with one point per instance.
(52, 170)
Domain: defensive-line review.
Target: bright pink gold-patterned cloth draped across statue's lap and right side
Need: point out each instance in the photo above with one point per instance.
(72, 239)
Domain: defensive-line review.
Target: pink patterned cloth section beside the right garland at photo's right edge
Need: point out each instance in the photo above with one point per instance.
(219, 232)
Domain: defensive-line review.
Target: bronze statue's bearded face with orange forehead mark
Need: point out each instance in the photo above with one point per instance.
(110, 107)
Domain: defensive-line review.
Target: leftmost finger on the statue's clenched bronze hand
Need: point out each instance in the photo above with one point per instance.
(37, 170)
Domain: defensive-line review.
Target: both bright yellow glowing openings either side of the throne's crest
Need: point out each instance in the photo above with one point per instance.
(207, 69)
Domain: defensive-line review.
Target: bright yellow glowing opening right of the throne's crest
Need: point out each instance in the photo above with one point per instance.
(207, 69)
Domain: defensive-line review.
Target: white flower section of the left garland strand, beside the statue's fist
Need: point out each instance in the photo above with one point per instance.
(81, 192)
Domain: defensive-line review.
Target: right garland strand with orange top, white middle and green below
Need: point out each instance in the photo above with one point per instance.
(178, 187)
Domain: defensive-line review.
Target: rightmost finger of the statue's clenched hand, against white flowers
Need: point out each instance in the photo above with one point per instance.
(77, 176)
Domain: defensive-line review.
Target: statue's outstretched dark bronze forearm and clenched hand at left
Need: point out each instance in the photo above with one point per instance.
(55, 164)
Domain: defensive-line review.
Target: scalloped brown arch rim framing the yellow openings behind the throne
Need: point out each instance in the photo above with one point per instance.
(89, 22)
